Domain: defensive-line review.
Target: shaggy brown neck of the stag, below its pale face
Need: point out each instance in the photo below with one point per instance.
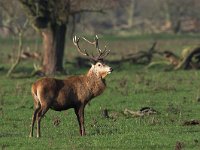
(96, 84)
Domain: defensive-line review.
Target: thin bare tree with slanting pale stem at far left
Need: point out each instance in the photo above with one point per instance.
(13, 22)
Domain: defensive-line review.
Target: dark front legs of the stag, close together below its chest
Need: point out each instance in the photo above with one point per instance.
(80, 117)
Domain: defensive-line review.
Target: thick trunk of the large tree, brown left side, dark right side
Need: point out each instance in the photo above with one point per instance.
(54, 43)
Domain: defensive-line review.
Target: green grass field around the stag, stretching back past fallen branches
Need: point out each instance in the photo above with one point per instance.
(174, 94)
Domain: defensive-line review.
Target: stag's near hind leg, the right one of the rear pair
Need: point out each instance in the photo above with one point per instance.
(44, 108)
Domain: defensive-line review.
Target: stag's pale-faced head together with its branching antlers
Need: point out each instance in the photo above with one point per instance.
(98, 65)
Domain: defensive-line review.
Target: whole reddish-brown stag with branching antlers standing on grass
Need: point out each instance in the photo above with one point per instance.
(73, 92)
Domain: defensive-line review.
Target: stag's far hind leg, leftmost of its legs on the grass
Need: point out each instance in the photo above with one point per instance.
(37, 107)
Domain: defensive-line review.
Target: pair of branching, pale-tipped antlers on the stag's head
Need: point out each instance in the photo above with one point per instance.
(102, 54)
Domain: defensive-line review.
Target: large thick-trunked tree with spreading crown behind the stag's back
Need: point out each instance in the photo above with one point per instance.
(51, 18)
